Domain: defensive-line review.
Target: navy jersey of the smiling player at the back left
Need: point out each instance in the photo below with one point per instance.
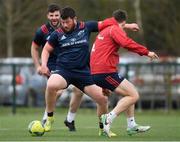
(42, 35)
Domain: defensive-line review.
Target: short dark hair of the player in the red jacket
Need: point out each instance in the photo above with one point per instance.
(120, 15)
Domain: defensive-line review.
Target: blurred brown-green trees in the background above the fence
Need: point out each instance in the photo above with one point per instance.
(159, 21)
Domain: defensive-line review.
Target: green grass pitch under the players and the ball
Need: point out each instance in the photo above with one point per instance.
(165, 126)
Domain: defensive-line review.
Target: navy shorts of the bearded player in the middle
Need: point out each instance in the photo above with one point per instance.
(77, 79)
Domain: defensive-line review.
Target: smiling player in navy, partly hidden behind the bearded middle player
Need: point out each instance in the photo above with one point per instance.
(41, 36)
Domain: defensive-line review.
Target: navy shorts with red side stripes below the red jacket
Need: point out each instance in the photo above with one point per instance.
(108, 81)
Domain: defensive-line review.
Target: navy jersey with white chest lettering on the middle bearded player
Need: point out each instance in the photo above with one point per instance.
(73, 48)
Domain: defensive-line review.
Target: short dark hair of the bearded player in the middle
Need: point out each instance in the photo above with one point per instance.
(68, 12)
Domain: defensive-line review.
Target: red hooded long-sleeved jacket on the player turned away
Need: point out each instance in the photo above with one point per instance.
(104, 54)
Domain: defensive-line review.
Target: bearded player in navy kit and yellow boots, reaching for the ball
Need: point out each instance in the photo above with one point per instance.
(71, 44)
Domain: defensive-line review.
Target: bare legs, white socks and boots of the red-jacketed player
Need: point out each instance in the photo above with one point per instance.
(131, 95)
